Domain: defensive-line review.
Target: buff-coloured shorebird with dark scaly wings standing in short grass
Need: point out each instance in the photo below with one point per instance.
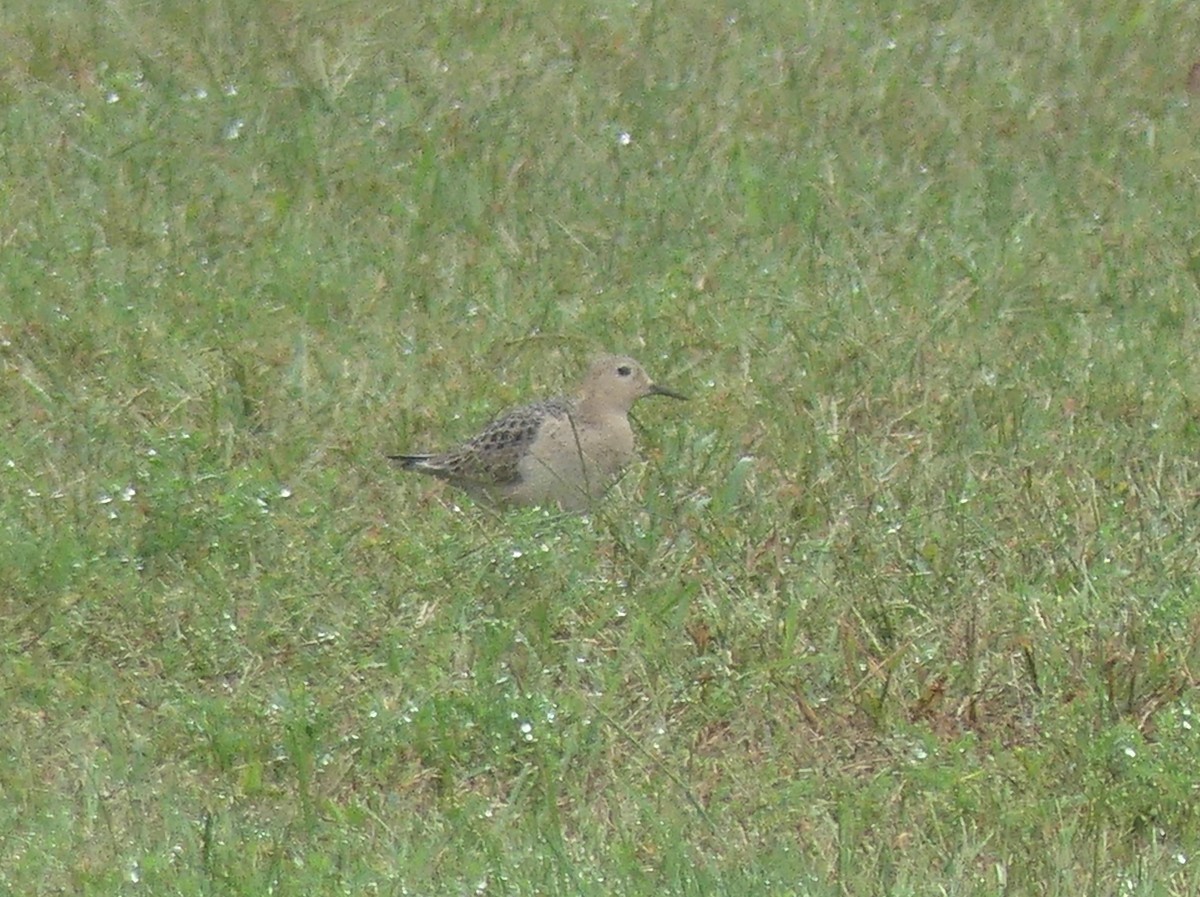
(559, 451)
